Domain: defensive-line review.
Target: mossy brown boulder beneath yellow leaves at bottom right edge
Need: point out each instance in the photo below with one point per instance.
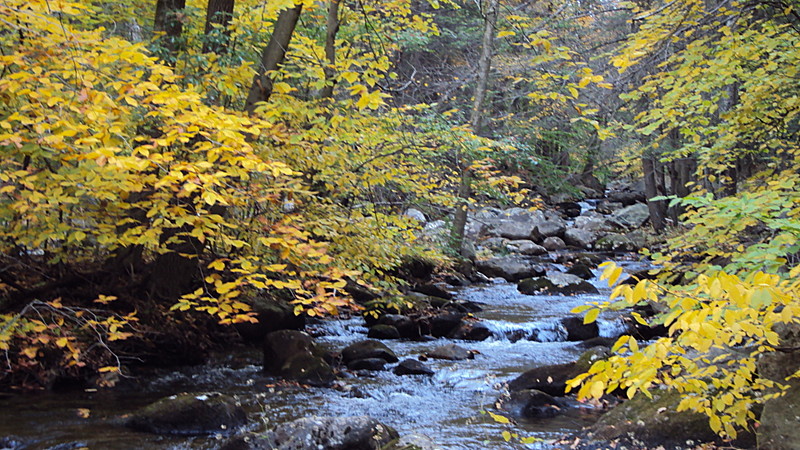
(654, 423)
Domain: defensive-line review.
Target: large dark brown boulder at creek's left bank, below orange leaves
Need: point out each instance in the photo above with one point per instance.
(295, 356)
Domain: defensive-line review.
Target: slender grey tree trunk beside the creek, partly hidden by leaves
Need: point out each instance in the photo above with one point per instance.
(476, 117)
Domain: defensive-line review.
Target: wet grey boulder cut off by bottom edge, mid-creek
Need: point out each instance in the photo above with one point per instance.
(330, 433)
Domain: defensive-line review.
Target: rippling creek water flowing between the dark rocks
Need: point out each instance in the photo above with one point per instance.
(445, 407)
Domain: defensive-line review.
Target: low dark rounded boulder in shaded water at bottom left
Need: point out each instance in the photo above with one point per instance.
(190, 415)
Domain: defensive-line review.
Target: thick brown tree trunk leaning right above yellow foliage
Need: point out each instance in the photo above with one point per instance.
(272, 57)
